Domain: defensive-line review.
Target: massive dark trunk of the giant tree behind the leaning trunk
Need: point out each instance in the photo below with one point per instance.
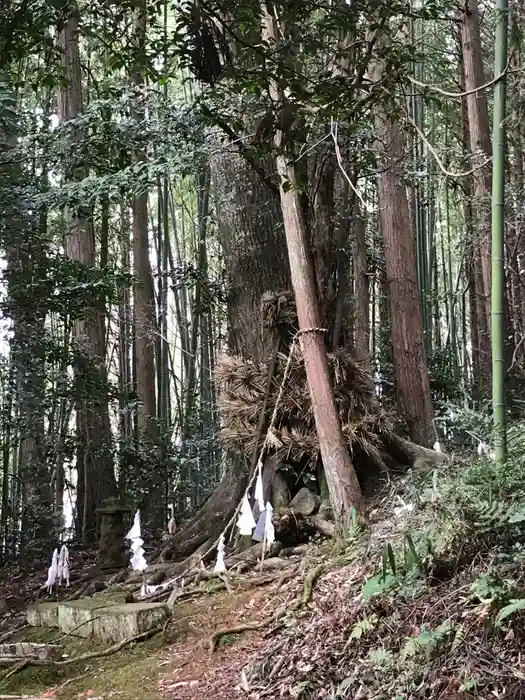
(252, 238)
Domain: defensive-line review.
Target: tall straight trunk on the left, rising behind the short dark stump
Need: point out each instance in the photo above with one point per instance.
(94, 456)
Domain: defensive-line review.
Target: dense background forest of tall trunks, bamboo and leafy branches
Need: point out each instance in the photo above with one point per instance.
(146, 280)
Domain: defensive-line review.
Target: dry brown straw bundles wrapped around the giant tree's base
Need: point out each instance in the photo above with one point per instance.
(242, 385)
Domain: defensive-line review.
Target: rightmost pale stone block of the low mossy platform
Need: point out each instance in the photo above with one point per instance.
(122, 621)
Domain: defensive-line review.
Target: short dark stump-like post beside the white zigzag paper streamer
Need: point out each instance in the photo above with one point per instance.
(112, 550)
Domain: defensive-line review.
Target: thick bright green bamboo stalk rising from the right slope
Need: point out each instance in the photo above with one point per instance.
(498, 235)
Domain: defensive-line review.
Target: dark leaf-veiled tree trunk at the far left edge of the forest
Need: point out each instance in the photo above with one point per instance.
(25, 262)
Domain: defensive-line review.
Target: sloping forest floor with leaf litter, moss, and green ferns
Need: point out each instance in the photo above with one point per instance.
(426, 602)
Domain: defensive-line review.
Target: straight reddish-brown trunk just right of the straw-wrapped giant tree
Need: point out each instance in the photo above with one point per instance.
(410, 364)
